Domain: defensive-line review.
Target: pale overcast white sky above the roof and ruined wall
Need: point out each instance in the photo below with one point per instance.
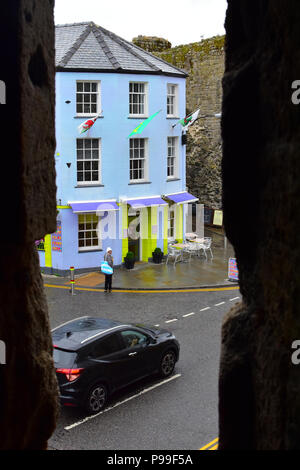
(178, 21)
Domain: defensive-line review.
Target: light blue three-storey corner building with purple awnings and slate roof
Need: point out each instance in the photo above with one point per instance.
(112, 190)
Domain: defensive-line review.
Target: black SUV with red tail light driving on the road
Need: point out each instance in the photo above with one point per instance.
(94, 357)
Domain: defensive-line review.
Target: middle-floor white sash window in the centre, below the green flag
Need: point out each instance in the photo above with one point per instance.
(138, 160)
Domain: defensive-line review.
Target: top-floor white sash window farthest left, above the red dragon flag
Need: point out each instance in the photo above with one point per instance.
(87, 97)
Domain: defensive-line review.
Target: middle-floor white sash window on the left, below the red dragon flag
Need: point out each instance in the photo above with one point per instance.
(88, 161)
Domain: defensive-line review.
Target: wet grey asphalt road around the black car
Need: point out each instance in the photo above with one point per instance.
(180, 413)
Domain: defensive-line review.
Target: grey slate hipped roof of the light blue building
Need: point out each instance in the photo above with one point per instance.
(88, 47)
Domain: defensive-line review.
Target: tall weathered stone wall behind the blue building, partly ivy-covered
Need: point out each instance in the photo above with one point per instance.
(204, 62)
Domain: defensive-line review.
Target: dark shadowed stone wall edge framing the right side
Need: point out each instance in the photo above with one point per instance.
(259, 401)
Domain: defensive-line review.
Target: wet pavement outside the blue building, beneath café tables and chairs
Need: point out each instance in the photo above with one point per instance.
(198, 272)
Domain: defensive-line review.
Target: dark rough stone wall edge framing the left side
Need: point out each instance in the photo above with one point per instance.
(28, 385)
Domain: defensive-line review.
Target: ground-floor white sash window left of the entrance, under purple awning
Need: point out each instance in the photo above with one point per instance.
(88, 231)
